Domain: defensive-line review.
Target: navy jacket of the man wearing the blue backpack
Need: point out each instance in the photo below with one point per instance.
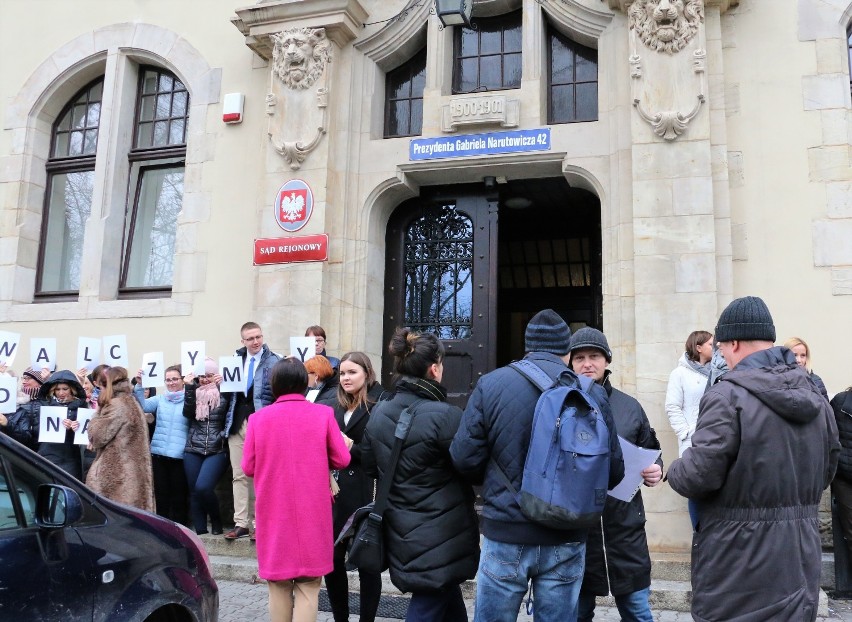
(496, 428)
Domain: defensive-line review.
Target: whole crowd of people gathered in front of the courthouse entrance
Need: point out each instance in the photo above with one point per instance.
(757, 444)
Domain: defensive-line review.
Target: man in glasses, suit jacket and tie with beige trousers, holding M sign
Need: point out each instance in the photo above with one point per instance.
(257, 359)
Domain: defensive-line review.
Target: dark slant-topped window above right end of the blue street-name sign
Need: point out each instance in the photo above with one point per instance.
(573, 89)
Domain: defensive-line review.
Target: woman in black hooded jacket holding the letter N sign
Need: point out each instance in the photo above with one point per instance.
(64, 390)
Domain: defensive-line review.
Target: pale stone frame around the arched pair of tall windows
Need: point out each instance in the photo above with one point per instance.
(116, 51)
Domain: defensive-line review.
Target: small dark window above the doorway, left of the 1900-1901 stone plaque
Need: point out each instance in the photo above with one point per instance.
(404, 97)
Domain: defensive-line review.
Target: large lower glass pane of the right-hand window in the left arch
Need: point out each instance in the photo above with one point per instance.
(149, 262)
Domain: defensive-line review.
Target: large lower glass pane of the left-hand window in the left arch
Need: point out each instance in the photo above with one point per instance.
(68, 209)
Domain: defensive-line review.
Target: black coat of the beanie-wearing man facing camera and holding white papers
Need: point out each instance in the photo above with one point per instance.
(627, 562)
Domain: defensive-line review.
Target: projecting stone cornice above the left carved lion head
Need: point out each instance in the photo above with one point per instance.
(342, 20)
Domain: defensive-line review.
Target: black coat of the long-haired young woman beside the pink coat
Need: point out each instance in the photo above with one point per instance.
(356, 487)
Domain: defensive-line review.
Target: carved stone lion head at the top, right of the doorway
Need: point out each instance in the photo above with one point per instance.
(666, 25)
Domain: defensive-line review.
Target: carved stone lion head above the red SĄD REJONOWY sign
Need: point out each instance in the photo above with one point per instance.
(299, 56)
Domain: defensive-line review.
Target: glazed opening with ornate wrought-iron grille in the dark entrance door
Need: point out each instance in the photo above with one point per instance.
(438, 269)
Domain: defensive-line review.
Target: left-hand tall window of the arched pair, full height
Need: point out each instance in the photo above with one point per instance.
(68, 202)
